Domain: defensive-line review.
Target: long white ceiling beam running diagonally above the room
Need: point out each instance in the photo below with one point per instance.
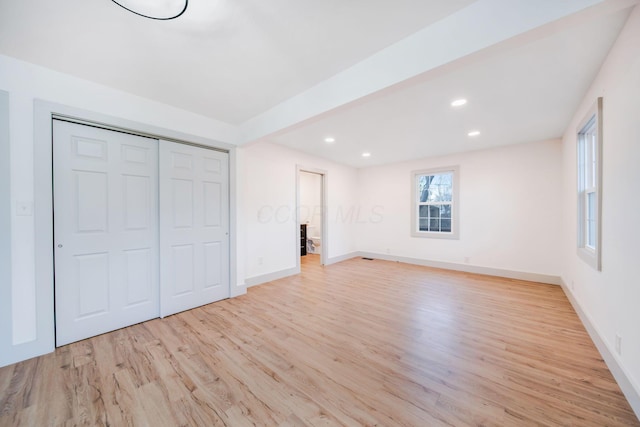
(477, 27)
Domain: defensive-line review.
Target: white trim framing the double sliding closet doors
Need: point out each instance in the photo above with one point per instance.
(44, 111)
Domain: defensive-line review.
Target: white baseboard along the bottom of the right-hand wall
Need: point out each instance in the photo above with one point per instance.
(630, 390)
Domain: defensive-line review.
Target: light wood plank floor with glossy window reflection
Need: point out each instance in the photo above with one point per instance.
(356, 343)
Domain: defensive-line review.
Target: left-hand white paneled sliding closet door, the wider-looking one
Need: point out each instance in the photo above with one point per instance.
(106, 230)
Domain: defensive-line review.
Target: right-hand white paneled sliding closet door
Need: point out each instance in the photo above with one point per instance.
(194, 226)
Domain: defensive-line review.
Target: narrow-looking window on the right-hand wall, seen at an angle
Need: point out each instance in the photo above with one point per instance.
(589, 186)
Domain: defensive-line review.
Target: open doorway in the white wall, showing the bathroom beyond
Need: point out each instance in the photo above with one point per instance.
(311, 211)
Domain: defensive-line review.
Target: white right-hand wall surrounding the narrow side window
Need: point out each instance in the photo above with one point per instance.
(611, 299)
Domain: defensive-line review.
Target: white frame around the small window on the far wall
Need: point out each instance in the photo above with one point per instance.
(455, 205)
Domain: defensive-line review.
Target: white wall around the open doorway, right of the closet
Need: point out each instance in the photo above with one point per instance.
(269, 205)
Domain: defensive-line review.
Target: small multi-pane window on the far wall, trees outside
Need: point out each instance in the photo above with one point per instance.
(435, 204)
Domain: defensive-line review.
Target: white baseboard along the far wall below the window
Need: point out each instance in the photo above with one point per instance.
(510, 274)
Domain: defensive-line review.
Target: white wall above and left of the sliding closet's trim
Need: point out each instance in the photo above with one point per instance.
(26, 82)
